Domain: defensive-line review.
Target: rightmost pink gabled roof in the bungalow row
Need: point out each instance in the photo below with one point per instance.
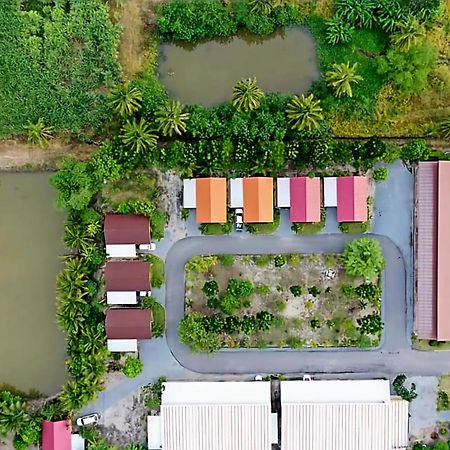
(352, 195)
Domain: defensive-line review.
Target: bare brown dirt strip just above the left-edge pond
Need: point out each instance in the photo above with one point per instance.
(18, 155)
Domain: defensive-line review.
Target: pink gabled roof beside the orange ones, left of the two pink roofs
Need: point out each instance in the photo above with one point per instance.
(305, 199)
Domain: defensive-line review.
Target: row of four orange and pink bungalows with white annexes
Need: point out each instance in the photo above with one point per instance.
(255, 195)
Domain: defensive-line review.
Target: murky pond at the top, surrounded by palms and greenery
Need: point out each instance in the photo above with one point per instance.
(284, 61)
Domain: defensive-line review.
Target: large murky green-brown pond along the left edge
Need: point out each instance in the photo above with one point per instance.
(32, 348)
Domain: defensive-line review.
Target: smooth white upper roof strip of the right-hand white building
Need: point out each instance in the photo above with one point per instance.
(335, 391)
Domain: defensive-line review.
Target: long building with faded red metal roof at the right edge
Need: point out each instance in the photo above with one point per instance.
(432, 253)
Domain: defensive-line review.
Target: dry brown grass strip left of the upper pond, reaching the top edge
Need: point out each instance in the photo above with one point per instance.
(134, 17)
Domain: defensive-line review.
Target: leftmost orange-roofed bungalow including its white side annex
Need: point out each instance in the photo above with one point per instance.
(208, 196)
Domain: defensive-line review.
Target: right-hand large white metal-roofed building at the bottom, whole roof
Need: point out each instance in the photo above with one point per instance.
(342, 415)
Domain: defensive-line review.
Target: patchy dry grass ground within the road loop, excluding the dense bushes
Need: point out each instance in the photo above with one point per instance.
(321, 313)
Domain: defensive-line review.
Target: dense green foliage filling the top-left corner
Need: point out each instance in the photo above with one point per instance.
(55, 63)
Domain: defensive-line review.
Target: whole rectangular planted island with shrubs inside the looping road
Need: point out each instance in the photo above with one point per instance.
(288, 300)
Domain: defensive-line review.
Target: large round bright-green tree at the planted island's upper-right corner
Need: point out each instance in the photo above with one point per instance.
(363, 257)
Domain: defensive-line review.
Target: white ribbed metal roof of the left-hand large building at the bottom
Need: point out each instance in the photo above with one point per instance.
(216, 416)
